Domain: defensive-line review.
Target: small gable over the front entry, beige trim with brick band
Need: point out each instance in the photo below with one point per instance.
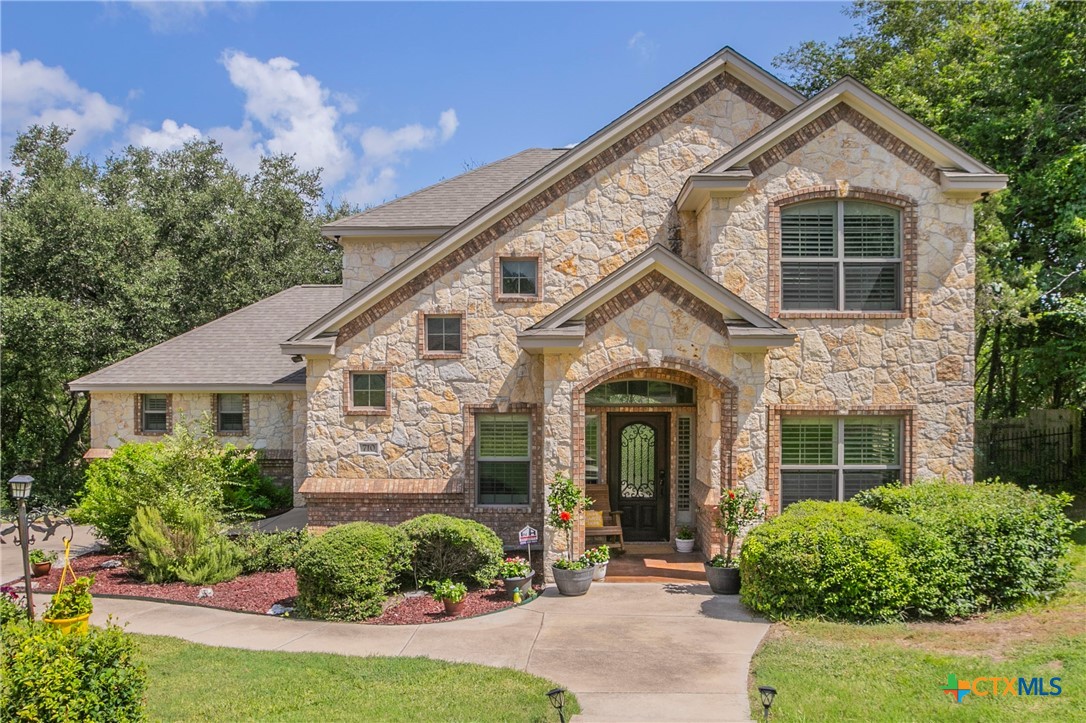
(656, 270)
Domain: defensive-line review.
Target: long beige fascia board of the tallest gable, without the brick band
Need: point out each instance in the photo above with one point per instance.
(526, 189)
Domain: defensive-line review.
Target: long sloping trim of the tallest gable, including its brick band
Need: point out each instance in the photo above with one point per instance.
(726, 70)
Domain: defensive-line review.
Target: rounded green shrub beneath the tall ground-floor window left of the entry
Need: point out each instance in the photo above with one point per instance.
(450, 548)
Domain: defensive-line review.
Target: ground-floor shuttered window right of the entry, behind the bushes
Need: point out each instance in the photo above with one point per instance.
(834, 459)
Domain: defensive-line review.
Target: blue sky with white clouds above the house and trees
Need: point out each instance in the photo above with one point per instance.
(385, 97)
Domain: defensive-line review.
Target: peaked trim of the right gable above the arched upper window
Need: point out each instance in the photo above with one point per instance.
(866, 102)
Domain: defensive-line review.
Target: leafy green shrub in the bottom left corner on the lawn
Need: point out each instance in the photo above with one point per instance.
(50, 677)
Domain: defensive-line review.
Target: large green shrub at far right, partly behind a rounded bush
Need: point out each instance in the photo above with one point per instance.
(1012, 543)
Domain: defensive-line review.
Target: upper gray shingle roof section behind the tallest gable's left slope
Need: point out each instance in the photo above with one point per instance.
(451, 201)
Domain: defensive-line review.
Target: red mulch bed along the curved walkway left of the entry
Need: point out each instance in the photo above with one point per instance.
(260, 591)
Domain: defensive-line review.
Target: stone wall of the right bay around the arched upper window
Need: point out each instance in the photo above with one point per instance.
(918, 363)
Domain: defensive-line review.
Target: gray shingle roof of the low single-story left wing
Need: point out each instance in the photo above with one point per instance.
(238, 350)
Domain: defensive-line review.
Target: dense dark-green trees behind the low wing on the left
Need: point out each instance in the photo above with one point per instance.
(102, 261)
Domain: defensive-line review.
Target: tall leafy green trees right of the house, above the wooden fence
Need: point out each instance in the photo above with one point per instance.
(1007, 82)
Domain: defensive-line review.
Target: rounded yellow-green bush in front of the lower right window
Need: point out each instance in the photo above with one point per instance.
(842, 562)
